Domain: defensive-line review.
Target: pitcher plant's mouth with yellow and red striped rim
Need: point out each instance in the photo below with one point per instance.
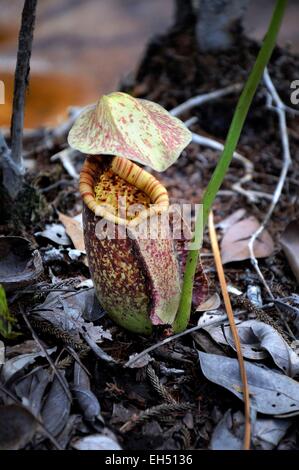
(103, 179)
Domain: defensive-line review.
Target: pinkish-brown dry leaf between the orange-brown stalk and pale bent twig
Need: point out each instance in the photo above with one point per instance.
(234, 245)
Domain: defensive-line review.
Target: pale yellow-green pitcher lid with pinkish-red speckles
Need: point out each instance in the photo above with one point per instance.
(136, 129)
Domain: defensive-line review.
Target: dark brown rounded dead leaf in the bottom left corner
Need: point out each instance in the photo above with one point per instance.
(17, 427)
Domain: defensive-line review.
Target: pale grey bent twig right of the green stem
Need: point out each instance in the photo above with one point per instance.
(280, 109)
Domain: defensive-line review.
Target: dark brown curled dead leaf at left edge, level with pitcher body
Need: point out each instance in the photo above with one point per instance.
(20, 265)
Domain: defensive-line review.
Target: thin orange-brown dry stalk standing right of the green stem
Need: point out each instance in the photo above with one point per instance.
(229, 310)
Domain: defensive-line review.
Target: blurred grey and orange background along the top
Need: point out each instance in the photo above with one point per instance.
(83, 48)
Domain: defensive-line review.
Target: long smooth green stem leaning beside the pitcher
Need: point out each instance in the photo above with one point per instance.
(217, 178)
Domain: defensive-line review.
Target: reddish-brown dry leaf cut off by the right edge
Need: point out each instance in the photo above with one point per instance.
(290, 245)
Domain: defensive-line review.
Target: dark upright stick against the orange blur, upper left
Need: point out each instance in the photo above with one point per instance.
(21, 80)
